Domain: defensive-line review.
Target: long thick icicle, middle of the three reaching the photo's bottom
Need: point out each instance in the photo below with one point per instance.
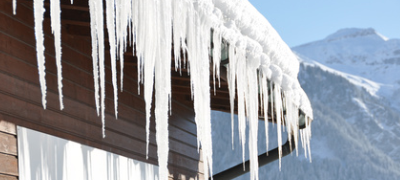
(198, 51)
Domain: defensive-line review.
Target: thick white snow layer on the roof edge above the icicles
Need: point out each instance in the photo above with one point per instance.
(242, 22)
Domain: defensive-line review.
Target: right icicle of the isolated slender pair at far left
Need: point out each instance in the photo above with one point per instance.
(55, 12)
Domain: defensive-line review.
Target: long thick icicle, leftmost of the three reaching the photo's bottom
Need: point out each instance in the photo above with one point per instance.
(163, 84)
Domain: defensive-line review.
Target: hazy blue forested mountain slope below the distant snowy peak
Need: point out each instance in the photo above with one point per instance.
(346, 140)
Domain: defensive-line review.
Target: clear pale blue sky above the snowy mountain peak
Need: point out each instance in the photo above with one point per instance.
(302, 21)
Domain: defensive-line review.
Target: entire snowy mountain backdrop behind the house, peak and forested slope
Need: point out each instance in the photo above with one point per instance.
(356, 128)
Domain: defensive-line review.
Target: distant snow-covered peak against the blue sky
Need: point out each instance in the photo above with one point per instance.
(364, 53)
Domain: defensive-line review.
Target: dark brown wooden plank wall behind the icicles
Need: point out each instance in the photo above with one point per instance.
(21, 103)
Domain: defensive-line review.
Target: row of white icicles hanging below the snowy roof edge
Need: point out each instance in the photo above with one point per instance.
(149, 25)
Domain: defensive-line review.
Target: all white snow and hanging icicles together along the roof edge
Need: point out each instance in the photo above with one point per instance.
(259, 61)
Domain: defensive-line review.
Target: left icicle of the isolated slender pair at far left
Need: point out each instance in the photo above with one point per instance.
(39, 17)
